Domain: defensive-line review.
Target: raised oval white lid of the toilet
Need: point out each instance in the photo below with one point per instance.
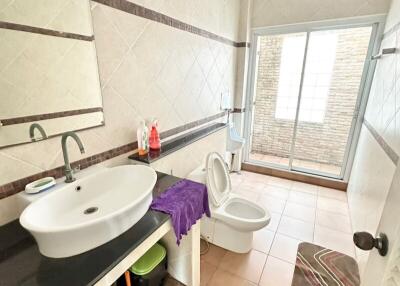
(218, 180)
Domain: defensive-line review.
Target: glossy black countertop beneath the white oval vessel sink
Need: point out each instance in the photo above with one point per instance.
(22, 264)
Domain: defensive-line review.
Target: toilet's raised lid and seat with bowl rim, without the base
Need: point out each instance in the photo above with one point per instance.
(230, 208)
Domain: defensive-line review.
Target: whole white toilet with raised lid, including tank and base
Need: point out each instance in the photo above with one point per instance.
(233, 217)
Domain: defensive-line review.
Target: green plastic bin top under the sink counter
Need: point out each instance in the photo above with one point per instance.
(149, 260)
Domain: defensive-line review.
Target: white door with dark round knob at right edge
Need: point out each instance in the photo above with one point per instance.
(386, 270)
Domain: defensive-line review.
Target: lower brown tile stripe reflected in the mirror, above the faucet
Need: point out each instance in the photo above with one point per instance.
(38, 117)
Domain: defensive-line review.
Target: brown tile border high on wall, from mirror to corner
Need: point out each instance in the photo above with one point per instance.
(140, 11)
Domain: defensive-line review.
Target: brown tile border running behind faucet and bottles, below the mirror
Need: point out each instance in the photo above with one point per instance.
(17, 186)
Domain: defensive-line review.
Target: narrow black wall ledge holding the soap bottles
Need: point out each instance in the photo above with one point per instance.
(177, 143)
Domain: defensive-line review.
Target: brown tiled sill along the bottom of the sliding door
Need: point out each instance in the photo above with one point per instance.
(304, 178)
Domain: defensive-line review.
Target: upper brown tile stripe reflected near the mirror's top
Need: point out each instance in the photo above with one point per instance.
(43, 31)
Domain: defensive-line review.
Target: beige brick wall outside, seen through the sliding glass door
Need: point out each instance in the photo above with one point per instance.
(319, 142)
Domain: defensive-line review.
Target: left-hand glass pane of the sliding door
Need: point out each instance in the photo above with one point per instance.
(278, 72)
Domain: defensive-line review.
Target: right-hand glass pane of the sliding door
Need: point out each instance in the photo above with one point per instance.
(328, 102)
